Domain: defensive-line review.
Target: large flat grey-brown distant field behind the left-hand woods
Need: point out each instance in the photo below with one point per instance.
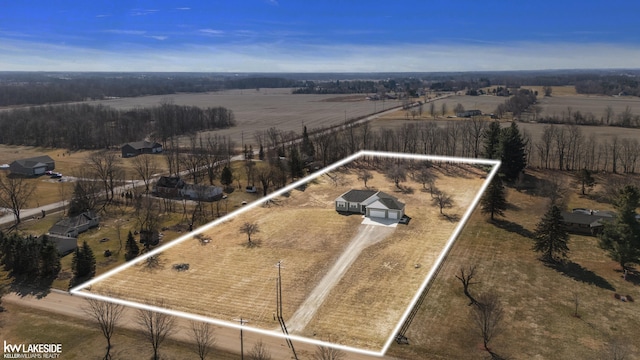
(257, 111)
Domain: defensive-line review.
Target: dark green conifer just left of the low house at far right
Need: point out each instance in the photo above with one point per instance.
(551, 236)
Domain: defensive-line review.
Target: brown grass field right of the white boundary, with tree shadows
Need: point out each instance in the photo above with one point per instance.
(538, 301)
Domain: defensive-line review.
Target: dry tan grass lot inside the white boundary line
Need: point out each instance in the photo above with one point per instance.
(226, 279)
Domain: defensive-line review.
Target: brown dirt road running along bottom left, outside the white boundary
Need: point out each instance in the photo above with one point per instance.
(227, 339)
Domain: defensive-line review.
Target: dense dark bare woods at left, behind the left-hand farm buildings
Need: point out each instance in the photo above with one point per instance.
(84, 126)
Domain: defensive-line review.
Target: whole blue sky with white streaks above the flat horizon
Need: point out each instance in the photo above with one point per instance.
(318, 36)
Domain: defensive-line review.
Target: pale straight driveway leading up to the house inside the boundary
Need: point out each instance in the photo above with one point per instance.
(366, 236)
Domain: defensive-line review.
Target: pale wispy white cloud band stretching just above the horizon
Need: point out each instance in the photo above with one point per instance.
(284, 57)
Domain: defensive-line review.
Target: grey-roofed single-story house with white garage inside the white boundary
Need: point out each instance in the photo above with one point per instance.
(371, 203)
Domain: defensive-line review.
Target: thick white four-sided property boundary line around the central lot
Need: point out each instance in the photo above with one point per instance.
(495, 163)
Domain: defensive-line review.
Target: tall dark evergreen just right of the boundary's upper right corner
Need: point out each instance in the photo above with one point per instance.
(512, 152)
